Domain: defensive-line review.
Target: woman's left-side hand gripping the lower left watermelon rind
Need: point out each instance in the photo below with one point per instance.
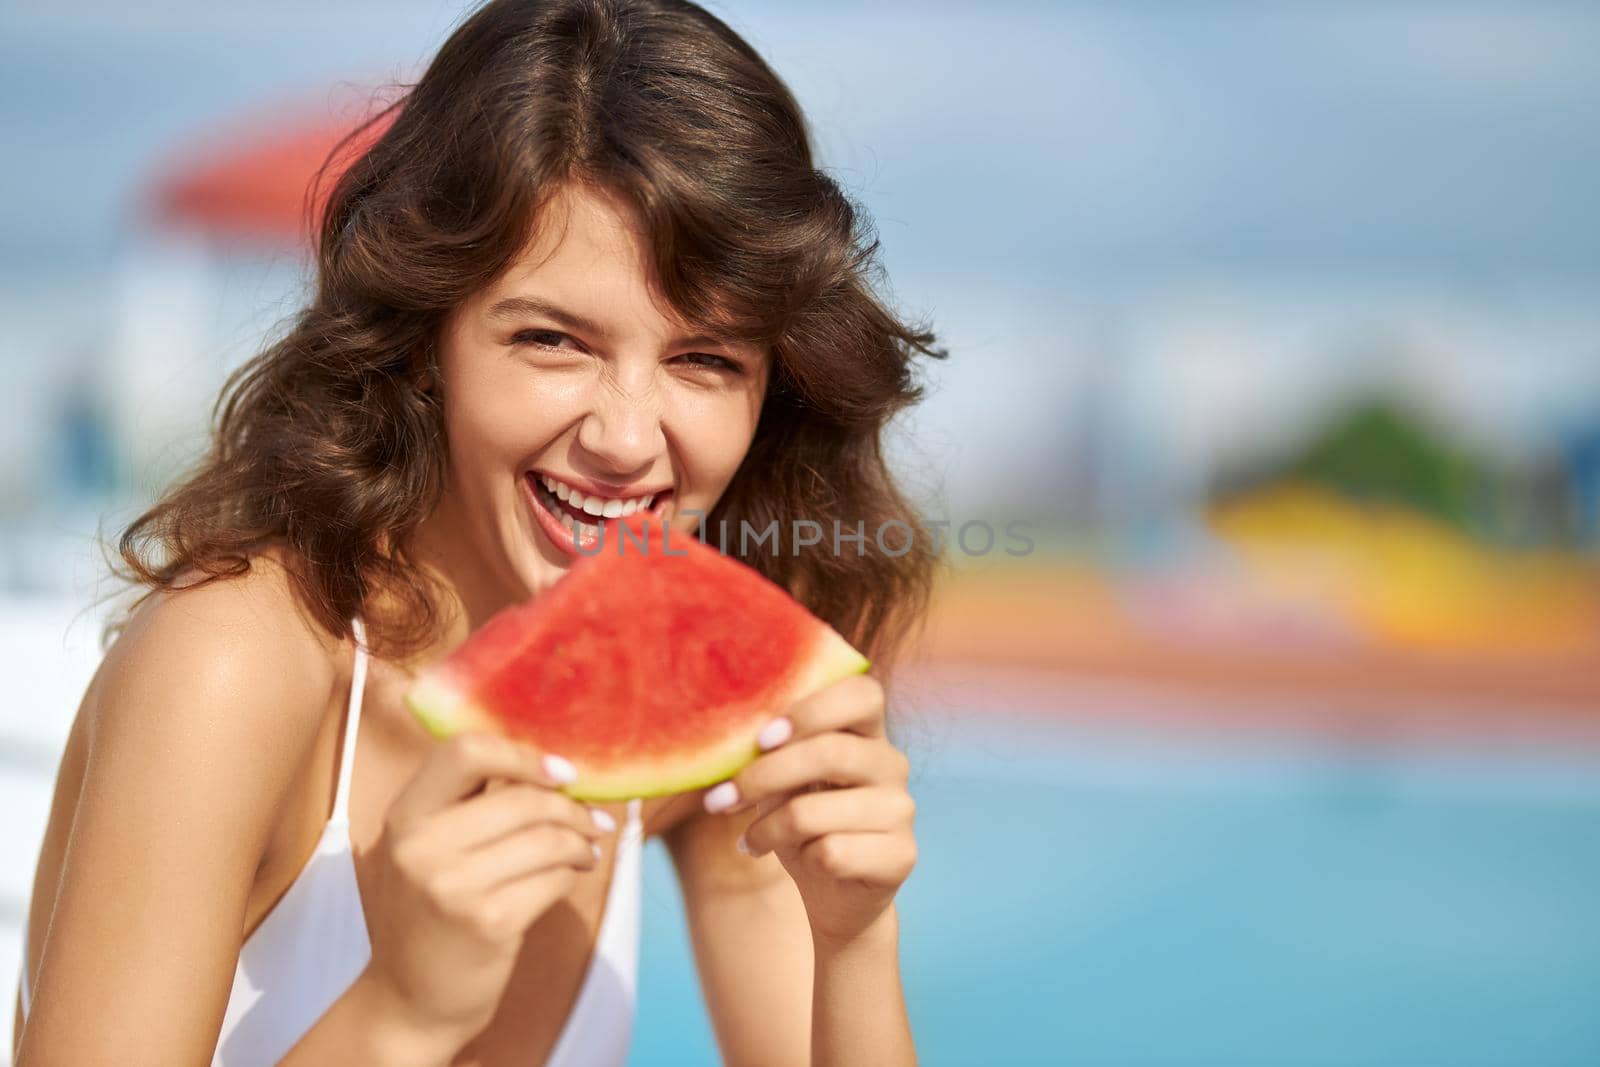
(474, 849)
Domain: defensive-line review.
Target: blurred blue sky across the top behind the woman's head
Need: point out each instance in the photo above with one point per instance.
(1078, 138)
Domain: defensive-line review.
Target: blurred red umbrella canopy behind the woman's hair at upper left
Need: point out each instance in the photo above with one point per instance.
(254, 180)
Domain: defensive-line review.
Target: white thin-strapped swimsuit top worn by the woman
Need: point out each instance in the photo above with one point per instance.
(313, 945)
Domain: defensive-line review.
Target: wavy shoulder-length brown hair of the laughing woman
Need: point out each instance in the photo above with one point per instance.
(330, 446)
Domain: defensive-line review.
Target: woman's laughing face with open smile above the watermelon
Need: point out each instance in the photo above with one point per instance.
(567, 374)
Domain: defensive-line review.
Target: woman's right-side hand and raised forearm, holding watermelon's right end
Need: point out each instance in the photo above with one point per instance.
(798, 945)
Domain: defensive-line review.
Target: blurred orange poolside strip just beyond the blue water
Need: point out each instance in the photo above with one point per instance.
(1234, 650)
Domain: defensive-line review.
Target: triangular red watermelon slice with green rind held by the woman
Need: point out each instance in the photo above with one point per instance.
(650, 668)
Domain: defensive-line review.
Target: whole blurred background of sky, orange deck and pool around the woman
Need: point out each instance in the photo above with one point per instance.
(1278, 326)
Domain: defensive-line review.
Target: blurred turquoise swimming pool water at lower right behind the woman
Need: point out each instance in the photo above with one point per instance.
(1110, 897)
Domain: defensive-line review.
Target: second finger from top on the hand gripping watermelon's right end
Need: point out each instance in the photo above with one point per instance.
(833, 759)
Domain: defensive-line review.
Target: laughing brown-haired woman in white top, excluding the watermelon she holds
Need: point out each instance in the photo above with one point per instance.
(590, 254)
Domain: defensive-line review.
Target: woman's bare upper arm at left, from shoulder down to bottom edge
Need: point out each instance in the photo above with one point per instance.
(194, 730)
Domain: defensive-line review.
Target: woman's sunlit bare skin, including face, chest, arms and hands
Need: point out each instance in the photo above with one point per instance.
(199, 772)
